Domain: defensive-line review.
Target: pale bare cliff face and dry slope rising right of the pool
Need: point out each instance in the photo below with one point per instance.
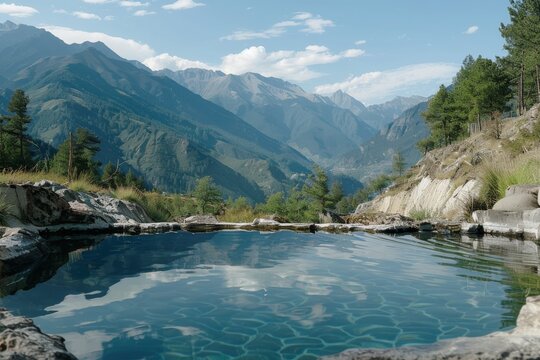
(446, 180)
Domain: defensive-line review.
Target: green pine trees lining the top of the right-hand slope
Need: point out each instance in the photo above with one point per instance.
(483, 89)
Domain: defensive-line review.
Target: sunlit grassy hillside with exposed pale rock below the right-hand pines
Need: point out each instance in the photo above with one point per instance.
(447, 181)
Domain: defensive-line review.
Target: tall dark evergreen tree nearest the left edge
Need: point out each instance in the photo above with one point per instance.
(18, 125)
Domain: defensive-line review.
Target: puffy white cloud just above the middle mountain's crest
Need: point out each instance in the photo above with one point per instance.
(286, 64)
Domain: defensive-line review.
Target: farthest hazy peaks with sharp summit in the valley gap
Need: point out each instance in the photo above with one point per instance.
(377, 116)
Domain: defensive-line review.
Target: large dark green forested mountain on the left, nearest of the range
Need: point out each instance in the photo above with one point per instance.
(154, 125)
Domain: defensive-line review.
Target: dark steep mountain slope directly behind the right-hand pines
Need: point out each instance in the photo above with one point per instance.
(376, 155)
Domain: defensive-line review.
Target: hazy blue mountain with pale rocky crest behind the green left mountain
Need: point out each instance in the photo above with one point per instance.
(312, 124)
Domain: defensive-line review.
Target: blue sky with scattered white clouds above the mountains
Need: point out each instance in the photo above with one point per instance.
(374, 50)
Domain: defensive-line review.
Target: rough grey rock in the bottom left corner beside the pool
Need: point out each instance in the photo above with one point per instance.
(21, 339)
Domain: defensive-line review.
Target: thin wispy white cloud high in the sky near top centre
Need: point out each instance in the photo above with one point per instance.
(310, 24)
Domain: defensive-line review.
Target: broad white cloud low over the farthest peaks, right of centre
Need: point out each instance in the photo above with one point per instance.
(380, 86)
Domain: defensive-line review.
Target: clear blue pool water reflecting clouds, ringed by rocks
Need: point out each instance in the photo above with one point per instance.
(272, 295)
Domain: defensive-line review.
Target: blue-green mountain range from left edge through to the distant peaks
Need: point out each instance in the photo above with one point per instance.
(253, 134)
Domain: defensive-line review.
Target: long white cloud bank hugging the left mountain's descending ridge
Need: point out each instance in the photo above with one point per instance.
(126, 48)
